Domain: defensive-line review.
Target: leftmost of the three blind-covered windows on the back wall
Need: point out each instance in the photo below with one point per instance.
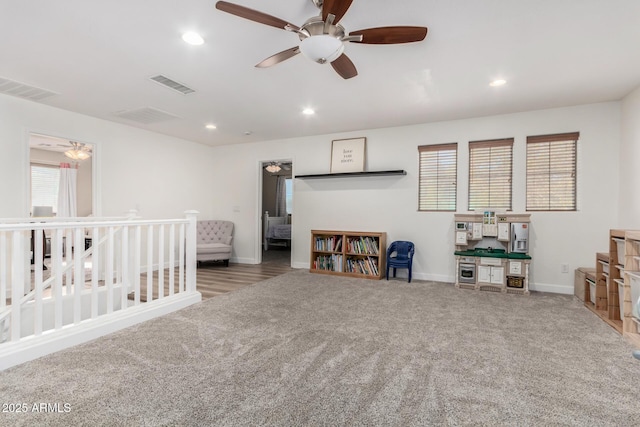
(438, 175)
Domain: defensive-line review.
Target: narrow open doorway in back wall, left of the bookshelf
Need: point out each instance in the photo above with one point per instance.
(276, 211)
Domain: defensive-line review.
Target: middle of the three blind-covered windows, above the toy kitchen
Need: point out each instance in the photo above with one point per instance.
(490, 169)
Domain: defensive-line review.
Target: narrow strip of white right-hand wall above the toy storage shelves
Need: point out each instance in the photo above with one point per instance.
(630, 162)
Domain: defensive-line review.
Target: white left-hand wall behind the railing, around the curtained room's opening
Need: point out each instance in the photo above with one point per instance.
(159, 175)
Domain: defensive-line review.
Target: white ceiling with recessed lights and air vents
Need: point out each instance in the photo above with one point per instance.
(98, 57)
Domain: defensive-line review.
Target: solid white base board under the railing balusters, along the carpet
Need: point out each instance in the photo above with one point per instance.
(15, 353)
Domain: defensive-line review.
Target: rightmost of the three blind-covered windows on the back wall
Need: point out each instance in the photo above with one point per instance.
(551, 172)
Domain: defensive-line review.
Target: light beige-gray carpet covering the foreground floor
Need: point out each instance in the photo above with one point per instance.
(309, 349)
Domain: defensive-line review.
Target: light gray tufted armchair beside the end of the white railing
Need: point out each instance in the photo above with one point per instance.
(214, 241)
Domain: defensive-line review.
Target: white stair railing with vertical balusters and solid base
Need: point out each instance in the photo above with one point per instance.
(93, 280)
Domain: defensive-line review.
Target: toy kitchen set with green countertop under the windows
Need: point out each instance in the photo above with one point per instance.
(492, 252)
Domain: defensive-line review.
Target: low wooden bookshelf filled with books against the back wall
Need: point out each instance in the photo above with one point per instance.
(348, 253)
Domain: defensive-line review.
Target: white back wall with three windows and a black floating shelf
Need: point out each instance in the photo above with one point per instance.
(390, 203)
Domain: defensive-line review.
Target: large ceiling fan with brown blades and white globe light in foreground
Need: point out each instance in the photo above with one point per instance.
(322, 38)
